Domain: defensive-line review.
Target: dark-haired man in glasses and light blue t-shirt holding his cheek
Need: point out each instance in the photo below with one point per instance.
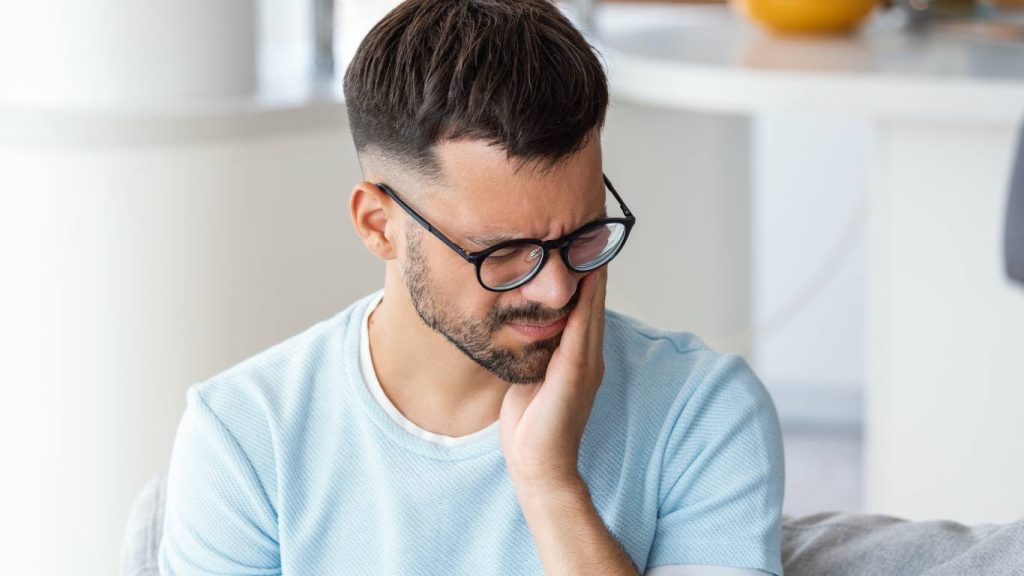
(483, 414)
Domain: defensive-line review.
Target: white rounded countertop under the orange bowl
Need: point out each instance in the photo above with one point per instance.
(707, 59)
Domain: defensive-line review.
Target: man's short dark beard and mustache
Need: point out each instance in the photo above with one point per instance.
(476, 338)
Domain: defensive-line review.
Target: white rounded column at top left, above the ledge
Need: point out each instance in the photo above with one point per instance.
(113, 53)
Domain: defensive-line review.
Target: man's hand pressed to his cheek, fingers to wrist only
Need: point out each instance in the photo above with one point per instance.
(542, 425)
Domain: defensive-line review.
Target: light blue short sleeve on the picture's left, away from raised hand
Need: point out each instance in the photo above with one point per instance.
(220, 519)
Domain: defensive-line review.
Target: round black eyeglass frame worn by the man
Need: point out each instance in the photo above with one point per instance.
(477, 259)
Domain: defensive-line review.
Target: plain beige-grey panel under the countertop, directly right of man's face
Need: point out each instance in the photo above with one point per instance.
(687, 179)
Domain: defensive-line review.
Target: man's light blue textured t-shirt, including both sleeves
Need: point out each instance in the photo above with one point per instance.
(286, 464)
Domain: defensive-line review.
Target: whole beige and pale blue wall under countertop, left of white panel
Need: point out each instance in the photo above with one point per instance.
(763, 224)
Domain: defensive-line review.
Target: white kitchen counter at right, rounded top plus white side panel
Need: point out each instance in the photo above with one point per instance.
(945, 326)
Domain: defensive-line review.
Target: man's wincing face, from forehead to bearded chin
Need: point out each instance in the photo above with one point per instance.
(486, 200)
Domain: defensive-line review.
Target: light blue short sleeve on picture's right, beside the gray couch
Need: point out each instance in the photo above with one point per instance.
(722, 478)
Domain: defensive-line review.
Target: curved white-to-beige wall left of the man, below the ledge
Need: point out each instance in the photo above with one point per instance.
(138, 271)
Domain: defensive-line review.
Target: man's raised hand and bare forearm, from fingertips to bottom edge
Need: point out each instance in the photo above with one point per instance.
(541, 431)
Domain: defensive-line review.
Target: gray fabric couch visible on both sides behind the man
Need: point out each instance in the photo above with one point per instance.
(820, 545)
